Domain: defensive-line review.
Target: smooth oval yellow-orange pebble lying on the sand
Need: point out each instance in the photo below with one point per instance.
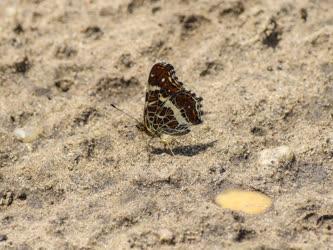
(244, 201)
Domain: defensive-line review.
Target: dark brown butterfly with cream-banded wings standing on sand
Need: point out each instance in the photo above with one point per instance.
(169, 109)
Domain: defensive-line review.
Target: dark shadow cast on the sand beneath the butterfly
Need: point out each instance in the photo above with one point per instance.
(189, 150)
